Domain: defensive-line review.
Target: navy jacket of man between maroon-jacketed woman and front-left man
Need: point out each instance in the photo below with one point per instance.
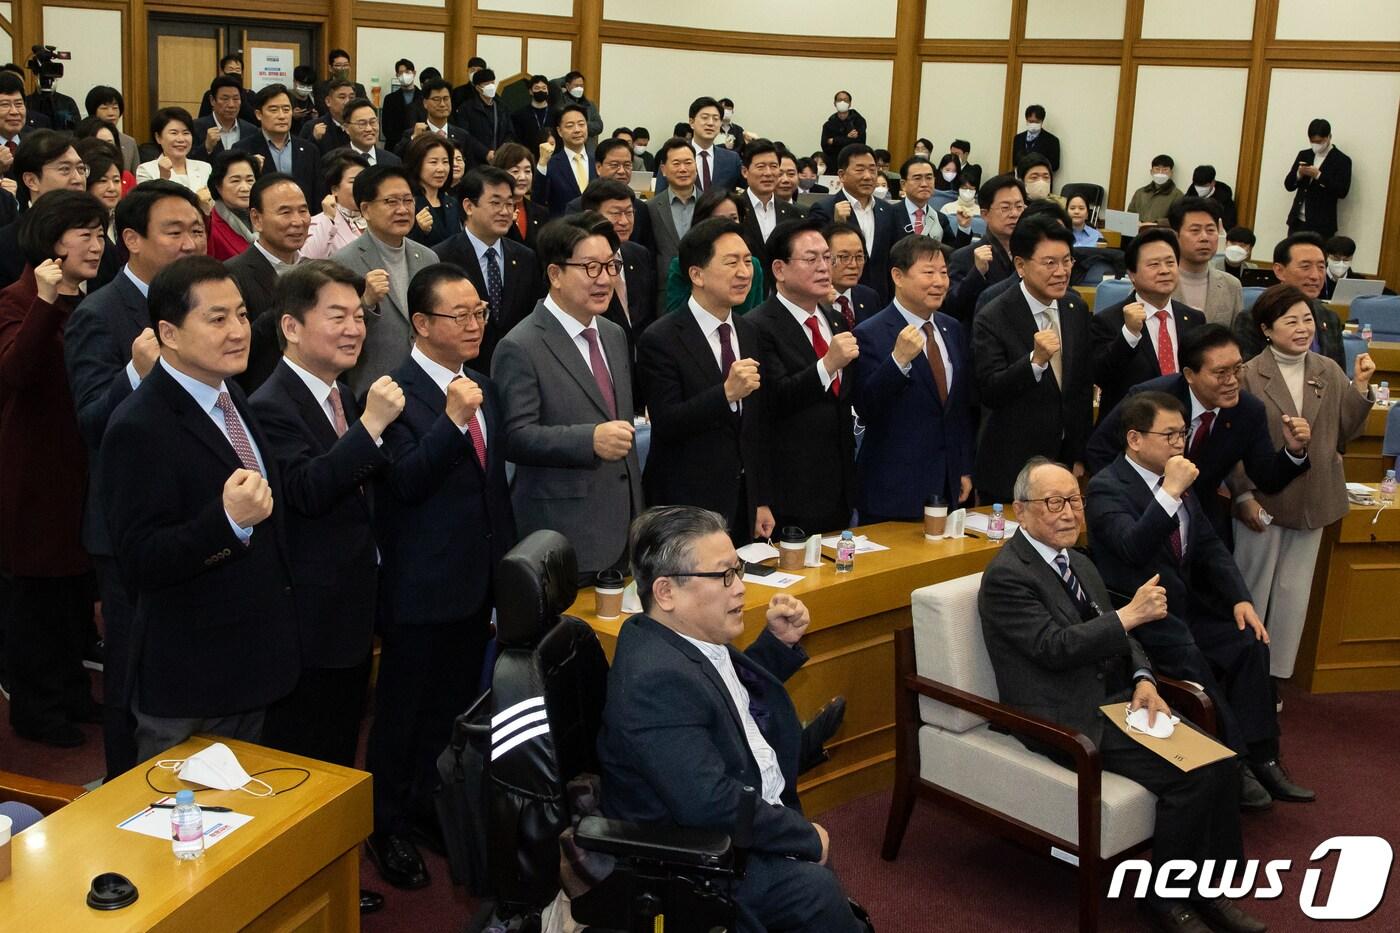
(97, 347)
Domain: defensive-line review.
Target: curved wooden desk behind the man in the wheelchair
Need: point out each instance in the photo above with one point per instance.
(852, 648)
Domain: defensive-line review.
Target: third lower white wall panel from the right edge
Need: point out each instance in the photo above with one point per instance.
(1081, 109)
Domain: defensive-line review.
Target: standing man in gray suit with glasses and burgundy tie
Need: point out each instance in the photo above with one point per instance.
(566, 387)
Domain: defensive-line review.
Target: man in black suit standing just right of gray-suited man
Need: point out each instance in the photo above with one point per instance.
(699, 371)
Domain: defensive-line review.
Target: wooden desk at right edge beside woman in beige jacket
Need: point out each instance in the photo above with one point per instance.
(1352, 641)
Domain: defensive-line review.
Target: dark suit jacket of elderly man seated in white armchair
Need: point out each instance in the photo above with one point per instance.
(1051, 662)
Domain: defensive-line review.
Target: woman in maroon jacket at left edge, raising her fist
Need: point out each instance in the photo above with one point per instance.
(44, 473)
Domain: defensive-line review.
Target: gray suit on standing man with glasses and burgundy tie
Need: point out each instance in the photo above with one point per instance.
(551, 410)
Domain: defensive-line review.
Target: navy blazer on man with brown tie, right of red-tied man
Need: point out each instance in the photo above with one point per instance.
(915, 446)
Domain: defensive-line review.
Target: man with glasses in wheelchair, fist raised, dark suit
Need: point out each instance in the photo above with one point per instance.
(691, 721)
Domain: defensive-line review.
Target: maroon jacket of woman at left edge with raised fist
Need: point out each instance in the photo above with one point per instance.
(43, 459)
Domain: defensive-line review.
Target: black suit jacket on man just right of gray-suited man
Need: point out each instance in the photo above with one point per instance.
(703, 453)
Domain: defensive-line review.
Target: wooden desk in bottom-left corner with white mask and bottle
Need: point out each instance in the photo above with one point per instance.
(296, 866)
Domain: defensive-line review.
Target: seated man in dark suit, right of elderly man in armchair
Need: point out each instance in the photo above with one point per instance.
(1144, 519)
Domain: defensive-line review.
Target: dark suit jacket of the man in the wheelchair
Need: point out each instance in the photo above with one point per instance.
(673, 747)
